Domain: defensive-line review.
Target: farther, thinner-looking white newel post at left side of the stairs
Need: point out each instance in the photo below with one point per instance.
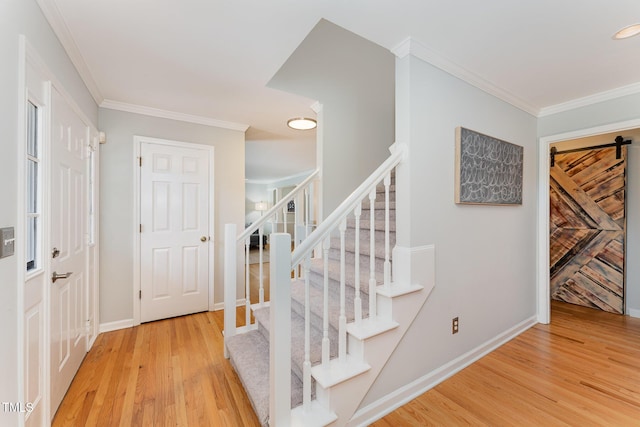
(230, 283)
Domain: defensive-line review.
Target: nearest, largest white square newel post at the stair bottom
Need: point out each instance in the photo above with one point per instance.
(280, 331)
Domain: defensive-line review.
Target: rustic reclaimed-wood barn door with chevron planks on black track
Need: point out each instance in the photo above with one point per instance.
(587, 221)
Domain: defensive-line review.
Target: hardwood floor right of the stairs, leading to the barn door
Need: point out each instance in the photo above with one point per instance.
(582, 369)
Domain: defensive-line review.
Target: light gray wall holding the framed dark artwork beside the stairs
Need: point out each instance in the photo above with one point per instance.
(485, 255)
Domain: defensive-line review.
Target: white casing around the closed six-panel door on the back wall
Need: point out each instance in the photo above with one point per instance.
(137, 144)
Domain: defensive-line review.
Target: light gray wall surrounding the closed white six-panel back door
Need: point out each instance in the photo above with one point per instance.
(116, 190)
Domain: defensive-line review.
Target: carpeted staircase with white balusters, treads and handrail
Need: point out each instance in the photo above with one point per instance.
(356, 317)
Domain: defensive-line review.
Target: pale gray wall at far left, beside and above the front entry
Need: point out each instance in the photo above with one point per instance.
(22, 17)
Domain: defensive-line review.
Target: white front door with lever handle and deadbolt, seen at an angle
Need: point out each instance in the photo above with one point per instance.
(69, 212)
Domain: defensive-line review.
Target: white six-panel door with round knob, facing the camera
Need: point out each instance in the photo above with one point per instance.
(174, 225)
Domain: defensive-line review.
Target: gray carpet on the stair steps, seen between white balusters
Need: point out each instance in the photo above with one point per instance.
(249, 352)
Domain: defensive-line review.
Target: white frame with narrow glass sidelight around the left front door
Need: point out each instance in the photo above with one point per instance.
(29, 58)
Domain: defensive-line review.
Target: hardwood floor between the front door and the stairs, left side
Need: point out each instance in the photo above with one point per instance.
(166, 373)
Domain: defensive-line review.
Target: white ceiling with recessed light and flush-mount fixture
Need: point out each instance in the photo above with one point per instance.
(213, 58)
